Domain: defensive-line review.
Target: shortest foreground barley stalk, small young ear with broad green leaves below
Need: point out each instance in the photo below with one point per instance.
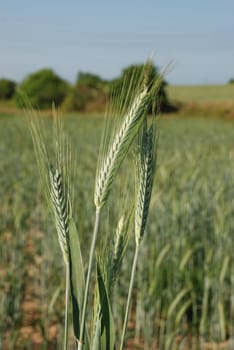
(110, 253)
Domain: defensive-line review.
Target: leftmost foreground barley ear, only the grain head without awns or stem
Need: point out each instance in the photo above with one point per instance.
(60, 209)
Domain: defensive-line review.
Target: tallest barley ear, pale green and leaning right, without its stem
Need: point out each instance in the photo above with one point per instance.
(119, 147)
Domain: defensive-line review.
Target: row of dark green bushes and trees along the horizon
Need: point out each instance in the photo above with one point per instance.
(89, 92)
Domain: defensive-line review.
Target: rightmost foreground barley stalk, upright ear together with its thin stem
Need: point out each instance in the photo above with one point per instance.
(145, 169)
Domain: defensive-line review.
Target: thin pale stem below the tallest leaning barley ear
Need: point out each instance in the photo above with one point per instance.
(88, 278)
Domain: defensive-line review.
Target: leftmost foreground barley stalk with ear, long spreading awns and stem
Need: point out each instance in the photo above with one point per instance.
(55, 189)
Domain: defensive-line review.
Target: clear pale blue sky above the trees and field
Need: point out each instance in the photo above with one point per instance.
(195, 38)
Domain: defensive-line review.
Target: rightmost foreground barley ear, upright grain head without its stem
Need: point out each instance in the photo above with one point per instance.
(145, 168)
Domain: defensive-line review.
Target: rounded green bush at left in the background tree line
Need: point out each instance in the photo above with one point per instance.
(43, 88)
